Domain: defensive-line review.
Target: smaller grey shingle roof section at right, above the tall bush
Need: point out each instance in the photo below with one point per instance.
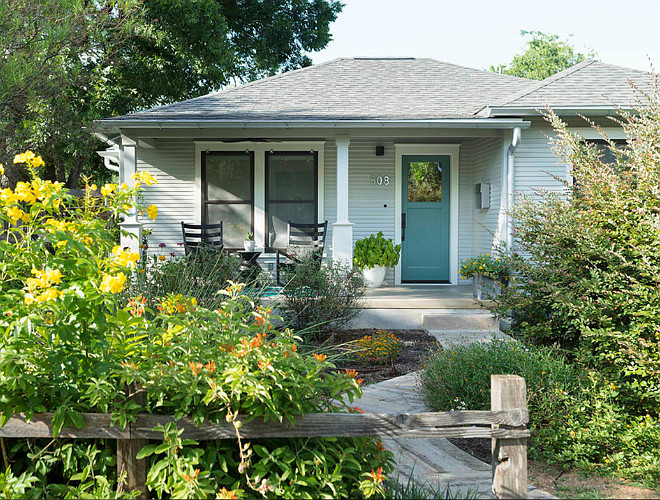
(587, 84)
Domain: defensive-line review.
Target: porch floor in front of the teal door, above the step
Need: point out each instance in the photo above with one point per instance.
(421, 297)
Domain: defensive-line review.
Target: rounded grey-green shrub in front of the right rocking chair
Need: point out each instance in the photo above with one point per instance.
(320, 299)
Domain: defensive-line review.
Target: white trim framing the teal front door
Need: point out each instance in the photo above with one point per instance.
(452, 150)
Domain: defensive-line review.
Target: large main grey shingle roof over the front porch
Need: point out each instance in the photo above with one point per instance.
(351, 89)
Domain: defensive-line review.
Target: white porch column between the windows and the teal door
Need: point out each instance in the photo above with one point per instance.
(342, 229)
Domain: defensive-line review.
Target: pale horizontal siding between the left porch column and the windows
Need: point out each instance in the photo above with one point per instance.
(175, 195)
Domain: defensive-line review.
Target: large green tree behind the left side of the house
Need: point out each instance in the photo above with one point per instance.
(65, 63)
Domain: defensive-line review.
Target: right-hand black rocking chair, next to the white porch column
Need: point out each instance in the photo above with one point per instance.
(304, 240)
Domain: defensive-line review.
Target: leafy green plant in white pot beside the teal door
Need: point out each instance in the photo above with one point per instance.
(374, 255)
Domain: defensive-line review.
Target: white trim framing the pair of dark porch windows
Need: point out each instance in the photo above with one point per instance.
(259, 149)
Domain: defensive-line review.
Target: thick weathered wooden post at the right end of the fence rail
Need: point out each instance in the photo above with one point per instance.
(508, 392)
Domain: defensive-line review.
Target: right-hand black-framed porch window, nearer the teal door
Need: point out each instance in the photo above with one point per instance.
(291, 193)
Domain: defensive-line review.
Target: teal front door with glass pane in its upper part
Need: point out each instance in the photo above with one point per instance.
(425, 219)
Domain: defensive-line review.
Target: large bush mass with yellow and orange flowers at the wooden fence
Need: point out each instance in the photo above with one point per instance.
(72, 342)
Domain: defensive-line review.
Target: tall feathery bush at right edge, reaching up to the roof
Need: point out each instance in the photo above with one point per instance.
(588, 272)
